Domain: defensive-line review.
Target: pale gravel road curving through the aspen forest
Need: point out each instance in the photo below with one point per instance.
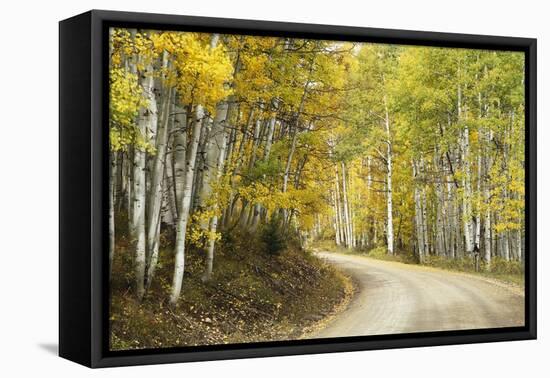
(402, 298)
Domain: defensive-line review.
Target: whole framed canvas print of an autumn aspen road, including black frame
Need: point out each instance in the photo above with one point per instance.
(233, 188)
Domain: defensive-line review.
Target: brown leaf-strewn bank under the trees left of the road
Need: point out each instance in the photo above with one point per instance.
(253, 296)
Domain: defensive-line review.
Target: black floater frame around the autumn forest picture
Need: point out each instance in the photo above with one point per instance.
(83, 180)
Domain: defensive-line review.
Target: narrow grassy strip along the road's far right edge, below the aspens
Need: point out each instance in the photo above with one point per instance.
(507, 271)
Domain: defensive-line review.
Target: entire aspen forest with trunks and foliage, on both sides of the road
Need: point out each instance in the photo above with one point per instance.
(409, 148)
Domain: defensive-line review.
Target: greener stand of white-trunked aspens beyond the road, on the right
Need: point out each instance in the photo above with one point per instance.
(440, 169)
